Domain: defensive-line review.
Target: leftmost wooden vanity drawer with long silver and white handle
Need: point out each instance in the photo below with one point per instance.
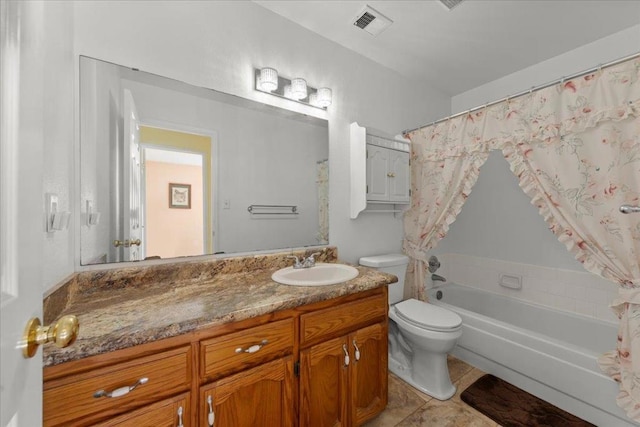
(72, 398)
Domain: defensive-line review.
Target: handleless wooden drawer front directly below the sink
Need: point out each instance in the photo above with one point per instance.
(335, 321)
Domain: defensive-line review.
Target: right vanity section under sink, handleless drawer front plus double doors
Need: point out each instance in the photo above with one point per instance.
(343, 379)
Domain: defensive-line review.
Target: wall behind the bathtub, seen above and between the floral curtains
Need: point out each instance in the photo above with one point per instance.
(499, 231)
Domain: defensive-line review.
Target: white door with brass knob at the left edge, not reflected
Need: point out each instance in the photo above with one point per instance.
(21, 206)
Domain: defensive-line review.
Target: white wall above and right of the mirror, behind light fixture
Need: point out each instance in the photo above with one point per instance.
(217, 45)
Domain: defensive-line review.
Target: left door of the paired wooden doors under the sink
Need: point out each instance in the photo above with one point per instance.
(324, 382)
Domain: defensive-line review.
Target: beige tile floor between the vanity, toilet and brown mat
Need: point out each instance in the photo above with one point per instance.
(409, 407)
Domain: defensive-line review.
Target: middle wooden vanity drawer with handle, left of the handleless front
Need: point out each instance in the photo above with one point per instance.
(233, 352)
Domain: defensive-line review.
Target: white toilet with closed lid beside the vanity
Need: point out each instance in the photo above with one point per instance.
(420, 334)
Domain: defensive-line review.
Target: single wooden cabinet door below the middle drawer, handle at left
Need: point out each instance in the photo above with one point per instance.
(262, 396)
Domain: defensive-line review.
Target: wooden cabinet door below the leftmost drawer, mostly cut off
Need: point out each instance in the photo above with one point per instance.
(172, 412)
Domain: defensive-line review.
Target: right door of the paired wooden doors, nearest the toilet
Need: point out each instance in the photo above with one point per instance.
(368, 372)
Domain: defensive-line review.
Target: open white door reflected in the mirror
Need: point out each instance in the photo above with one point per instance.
(133, 246)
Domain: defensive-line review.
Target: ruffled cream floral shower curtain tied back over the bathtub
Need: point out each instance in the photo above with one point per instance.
(575, 148)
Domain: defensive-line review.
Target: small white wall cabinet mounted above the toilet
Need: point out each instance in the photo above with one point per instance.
(380, 176)
